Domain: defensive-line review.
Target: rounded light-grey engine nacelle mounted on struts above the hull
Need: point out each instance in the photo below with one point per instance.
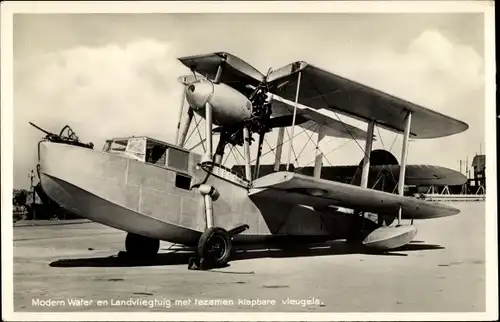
(228, 105)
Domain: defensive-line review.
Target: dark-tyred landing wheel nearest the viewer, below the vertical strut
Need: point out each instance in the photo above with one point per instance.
(215, 246)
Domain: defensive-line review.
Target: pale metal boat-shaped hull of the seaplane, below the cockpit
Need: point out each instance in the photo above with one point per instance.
(141, 198)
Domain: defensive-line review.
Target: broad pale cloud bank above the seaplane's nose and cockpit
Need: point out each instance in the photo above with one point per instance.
(100, 92)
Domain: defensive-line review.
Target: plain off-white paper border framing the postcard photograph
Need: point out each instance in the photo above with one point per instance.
(9, 8)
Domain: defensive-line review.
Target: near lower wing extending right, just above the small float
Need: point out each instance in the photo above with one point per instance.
(300, 189)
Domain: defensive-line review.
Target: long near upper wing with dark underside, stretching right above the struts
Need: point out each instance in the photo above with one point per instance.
(322, 89)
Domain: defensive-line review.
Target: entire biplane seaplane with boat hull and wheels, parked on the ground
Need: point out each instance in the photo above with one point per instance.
(158, 191)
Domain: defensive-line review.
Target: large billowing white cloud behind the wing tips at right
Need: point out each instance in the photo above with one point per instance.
(432, 71)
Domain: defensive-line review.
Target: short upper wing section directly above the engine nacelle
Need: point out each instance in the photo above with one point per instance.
(237, 73)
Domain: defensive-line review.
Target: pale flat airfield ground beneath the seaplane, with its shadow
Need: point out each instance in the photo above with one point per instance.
(442, 271)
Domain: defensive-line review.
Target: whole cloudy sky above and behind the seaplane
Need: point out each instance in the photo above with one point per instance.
(114, 75)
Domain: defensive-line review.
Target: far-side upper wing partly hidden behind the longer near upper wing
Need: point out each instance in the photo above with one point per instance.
(310, 118)
